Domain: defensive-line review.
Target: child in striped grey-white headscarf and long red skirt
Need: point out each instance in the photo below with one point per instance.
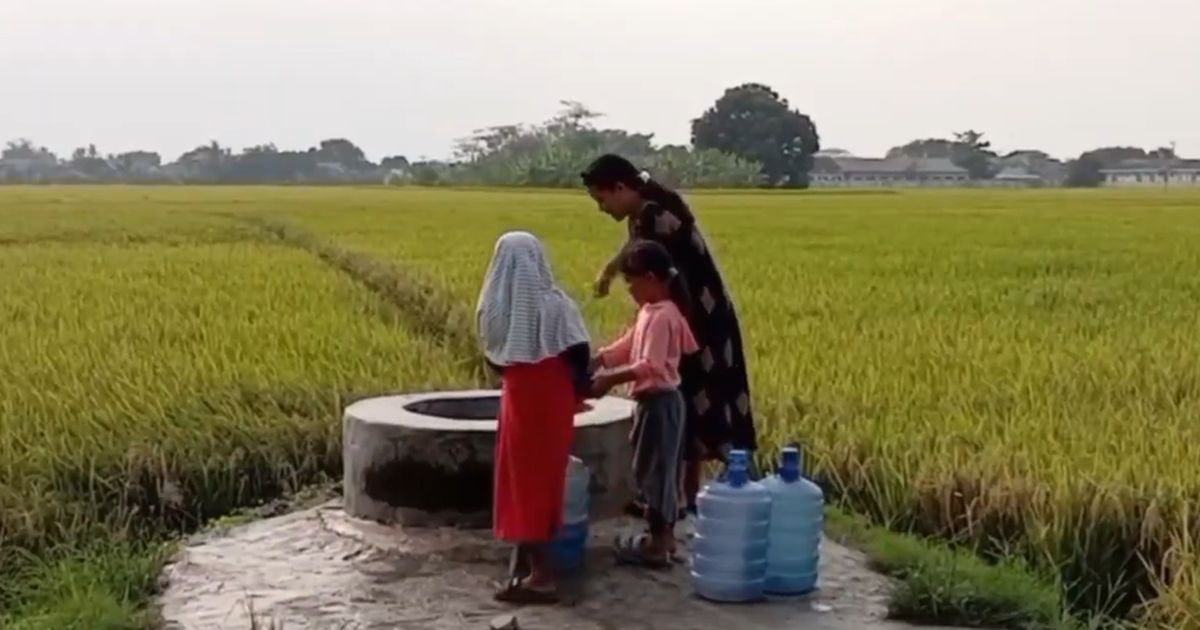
(532, 332)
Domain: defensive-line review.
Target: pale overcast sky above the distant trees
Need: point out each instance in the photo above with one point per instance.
(411, 76)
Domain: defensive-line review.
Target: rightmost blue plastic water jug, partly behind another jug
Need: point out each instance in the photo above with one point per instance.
(797, 518)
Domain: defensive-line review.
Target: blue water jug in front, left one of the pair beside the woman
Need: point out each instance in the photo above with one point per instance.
(729, 556)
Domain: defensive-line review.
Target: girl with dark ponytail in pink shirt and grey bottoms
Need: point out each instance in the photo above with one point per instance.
(647, 356)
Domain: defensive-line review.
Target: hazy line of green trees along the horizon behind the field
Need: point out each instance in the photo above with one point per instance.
(751, 136)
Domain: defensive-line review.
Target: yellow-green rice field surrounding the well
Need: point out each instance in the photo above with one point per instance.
(1017, 373)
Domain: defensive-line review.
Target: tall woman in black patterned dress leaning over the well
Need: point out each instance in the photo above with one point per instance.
(716, 385)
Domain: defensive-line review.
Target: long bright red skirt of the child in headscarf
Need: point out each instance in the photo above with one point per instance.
(533, 442)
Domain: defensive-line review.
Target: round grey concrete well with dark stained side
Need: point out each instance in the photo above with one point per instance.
(427, 459)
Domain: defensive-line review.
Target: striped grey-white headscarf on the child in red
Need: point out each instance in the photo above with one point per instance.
(524, 316)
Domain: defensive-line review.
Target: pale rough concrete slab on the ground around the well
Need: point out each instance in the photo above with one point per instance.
(320, 569)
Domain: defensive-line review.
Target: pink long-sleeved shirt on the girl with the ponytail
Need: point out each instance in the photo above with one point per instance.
(653, 347)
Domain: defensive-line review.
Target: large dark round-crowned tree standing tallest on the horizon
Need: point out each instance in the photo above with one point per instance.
(754, 123)
